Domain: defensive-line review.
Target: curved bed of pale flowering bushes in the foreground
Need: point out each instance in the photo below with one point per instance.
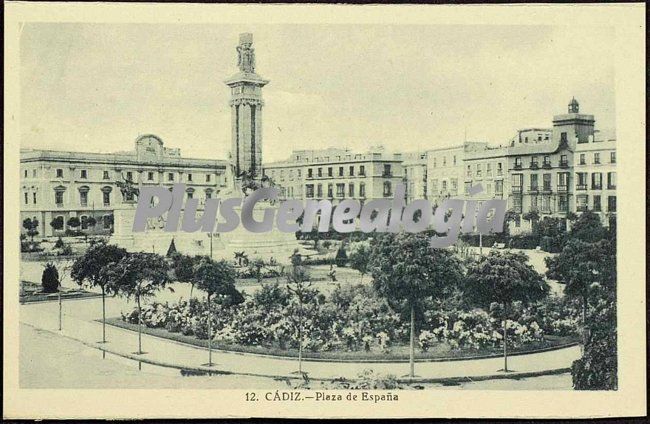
(352, 322)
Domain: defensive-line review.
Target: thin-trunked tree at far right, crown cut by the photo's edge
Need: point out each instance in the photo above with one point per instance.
(579, 266)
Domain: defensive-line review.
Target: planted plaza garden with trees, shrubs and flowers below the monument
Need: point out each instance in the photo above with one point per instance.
(407, 301)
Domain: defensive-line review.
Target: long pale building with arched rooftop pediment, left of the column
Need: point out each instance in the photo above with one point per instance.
(59, 185)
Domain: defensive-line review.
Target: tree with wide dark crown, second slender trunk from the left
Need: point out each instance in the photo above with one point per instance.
(138, 275)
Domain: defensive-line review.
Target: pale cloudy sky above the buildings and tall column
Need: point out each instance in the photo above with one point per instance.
(96, 87)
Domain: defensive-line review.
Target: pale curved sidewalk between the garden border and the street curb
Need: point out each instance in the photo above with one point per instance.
(79, 324)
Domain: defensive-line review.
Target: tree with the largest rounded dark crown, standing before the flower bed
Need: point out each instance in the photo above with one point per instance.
(406, 271)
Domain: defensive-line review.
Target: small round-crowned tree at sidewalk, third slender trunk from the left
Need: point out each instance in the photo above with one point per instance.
(216, 279)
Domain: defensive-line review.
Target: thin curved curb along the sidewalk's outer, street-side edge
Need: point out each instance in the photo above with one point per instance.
(207, 370)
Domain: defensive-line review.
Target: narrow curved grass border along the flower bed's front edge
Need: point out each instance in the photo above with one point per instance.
(117, 322)
